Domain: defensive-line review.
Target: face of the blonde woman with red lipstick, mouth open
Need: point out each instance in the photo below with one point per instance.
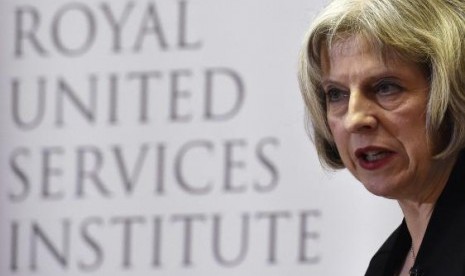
(376, 114)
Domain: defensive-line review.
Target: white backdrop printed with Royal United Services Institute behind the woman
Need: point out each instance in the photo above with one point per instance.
(167, 138)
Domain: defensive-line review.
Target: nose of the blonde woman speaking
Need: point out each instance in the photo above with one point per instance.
(360, 116)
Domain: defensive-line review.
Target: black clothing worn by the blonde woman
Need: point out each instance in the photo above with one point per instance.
(442, 251)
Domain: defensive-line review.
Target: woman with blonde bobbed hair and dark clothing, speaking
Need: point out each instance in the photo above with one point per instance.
(384, 86)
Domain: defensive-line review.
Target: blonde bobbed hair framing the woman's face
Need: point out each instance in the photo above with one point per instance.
(430, 33)
